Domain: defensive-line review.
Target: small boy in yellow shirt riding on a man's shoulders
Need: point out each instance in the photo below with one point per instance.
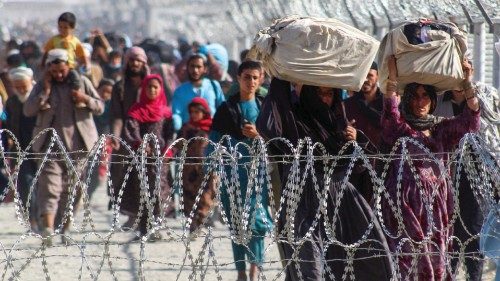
(67, 41)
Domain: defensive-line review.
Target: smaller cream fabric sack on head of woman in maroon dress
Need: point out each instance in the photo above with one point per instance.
(437, 63)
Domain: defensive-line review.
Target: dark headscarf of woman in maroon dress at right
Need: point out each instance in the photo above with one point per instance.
(419, 123)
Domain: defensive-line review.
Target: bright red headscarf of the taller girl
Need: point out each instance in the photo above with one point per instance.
(146, 110)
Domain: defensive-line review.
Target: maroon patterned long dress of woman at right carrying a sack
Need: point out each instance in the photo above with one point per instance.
(415, 212)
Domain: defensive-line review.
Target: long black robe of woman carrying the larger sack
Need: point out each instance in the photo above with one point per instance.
(309, 117)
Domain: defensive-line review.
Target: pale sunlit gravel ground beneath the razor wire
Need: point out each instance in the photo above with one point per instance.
(163, 260)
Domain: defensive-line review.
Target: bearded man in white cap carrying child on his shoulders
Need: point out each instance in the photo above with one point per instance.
(76, 128)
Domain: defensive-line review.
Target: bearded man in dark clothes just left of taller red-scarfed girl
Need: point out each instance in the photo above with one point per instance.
(125, 94)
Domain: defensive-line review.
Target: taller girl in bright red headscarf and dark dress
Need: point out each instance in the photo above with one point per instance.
(150, 115)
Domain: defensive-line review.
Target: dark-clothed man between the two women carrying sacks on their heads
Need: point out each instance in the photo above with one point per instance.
(364, 111)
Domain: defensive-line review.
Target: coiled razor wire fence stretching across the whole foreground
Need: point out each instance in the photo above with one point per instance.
(99, 246)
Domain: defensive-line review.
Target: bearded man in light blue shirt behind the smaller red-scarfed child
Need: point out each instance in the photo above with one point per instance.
(197, 86)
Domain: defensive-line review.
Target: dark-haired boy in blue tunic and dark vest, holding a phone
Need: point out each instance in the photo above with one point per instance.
(236, 117)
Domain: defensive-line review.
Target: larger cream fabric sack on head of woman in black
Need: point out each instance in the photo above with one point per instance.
(316, 51)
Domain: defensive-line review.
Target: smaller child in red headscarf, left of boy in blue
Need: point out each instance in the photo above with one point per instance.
(199, 125)
